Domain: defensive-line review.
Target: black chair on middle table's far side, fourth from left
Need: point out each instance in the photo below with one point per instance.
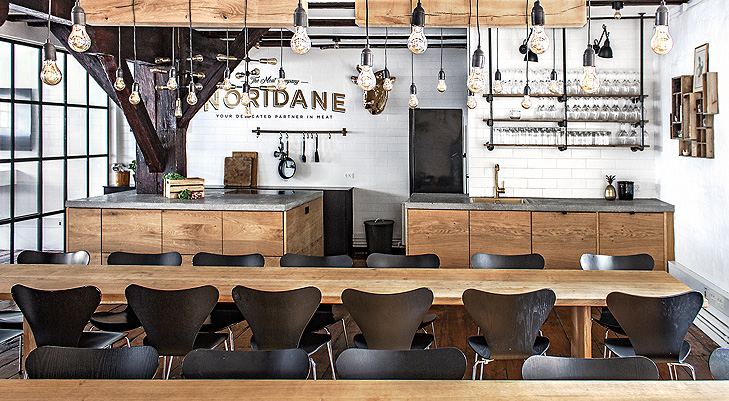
(324, 316)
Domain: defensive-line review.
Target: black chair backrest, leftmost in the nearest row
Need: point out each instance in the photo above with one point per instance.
(85, 363)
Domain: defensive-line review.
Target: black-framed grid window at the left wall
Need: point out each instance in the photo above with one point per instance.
(54, 146)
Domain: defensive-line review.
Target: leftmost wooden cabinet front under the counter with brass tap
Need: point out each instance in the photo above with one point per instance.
(442, 232)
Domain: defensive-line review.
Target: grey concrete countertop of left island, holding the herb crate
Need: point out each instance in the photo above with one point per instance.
(215, 199)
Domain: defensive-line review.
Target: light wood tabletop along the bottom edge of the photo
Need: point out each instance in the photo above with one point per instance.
(361, 390)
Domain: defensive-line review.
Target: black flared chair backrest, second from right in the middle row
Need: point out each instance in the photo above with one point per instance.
(510, 323)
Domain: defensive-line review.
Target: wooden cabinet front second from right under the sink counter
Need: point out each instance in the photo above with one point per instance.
(563, 237)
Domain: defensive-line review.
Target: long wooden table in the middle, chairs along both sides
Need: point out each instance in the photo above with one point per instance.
(574, 288)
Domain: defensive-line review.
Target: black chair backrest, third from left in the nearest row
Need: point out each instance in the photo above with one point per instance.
(378, 364)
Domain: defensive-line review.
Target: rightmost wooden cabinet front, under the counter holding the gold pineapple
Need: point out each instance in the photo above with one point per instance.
(632, 233)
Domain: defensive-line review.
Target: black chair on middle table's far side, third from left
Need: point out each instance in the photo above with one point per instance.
(225, 314)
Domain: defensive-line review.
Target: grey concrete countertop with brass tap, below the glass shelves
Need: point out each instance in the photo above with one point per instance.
(463, 202)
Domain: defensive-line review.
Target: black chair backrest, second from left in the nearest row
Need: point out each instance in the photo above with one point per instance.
(284, 364)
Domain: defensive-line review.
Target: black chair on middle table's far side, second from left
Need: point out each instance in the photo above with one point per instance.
(126, 320)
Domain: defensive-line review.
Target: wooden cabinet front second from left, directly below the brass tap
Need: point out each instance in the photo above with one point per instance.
(501, 232)
